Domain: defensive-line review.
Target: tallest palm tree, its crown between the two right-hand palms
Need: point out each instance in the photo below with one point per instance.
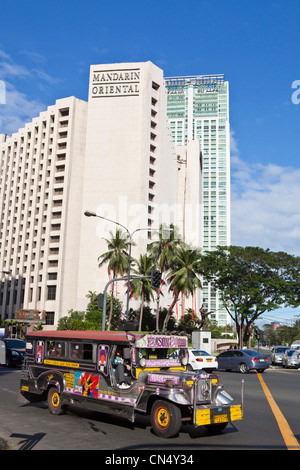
(162, 251)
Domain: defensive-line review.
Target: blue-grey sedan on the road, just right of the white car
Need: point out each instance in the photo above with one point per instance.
(242, 360)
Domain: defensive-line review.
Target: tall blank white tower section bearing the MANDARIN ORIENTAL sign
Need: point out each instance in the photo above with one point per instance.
(130, 163)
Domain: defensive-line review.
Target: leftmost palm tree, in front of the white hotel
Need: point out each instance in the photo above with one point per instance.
(117, 259)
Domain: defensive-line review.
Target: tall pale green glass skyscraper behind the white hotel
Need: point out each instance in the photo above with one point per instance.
(198, 109)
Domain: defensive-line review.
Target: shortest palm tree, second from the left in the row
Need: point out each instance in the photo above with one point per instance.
(142, 287)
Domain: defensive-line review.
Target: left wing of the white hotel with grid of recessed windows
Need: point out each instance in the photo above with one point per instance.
(40, 190)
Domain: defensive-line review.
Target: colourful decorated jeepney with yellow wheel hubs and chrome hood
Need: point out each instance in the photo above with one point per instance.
(77, 368)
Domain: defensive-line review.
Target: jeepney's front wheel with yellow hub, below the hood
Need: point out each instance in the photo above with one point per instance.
(165, 419)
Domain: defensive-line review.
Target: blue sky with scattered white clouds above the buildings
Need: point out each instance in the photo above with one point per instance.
(46, 49)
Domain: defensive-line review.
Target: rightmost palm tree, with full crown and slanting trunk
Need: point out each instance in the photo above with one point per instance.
(184, 276)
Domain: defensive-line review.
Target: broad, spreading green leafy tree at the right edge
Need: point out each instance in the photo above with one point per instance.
(252, 281)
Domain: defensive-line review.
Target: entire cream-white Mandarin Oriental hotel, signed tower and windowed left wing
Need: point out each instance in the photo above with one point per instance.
(113, 155)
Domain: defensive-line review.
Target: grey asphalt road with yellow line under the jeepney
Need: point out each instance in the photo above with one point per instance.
(31, 426)
